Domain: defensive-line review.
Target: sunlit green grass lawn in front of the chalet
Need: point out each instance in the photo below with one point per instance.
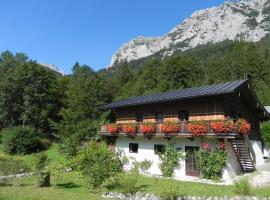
(71, 186)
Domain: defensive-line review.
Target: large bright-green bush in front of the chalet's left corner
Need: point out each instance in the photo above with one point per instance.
(97, 164)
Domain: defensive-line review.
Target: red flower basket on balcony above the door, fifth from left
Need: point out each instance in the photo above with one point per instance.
(198, 128)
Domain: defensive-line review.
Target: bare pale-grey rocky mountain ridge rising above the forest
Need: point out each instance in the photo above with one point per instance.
(246, 20)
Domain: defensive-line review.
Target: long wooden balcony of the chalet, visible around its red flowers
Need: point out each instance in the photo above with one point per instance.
(184, 132)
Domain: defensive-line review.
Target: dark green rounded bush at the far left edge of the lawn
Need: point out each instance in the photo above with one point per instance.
(21, 140)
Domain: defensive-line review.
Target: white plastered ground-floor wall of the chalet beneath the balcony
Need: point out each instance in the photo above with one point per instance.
(146, 151)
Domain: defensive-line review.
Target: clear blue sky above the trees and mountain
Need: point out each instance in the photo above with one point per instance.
(62, 32)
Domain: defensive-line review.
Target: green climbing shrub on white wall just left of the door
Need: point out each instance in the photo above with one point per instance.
(169, 160)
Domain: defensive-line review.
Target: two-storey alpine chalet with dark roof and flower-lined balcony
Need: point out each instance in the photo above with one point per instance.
(202, 105)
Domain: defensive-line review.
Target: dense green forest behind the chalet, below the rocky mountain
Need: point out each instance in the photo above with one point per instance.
(67, 108)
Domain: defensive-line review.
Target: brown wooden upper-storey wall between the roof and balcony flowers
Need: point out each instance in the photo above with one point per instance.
(210, 108)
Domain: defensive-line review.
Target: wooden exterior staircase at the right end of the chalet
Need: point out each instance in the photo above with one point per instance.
(243, 155)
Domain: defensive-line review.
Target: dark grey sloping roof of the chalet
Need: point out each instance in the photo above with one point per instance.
(209, 90)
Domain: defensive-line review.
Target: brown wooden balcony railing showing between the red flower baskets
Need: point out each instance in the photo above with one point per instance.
(183, 127)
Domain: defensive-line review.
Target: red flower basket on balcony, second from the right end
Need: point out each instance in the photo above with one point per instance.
(222, 126)
